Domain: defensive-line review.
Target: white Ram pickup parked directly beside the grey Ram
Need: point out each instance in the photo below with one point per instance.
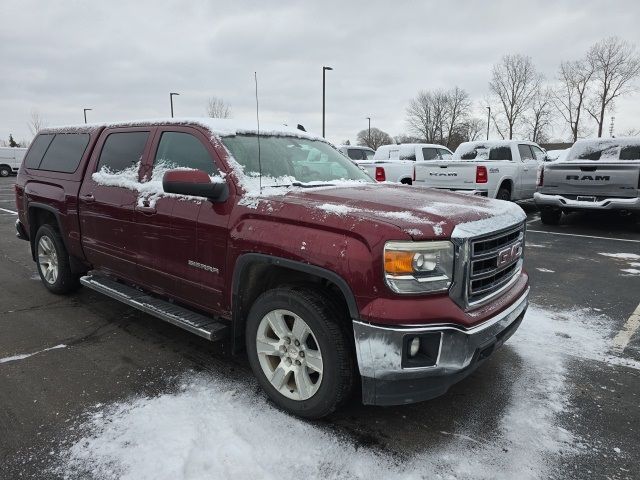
(505, 169)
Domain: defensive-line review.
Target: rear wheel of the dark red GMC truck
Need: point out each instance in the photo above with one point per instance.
(53, 262)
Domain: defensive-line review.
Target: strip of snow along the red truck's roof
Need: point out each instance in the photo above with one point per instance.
(217, 126)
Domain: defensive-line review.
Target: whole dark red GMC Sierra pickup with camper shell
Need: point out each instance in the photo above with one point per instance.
(281, 244)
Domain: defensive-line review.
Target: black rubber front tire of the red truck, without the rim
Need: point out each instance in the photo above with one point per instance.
(328, 325)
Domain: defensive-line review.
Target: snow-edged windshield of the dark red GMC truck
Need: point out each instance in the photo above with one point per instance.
(290, 159)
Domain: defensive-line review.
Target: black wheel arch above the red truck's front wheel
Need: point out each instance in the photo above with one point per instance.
(248, 262)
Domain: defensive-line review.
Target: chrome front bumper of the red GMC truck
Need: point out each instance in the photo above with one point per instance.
(389, 379)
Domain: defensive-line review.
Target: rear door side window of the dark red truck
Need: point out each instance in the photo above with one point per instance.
(122, 150)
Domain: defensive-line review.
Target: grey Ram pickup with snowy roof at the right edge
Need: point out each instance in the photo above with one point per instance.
(596, 175)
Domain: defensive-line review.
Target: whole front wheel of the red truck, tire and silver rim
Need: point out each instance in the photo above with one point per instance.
(299, 352)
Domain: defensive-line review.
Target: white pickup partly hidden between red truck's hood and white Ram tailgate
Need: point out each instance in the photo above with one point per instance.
(394, 163)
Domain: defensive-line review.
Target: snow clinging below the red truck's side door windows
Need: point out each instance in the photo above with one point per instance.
(149, 190)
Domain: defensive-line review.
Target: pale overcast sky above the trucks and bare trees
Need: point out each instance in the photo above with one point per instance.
(123, 58)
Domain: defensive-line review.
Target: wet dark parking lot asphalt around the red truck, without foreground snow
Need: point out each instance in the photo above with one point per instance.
(560, 400)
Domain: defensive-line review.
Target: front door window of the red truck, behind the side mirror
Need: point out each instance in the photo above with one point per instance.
(183, 150)
